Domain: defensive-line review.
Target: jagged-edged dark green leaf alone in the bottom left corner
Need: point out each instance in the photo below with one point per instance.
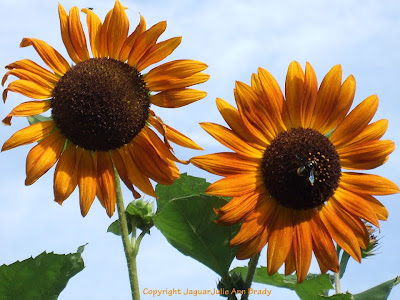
(42, 278)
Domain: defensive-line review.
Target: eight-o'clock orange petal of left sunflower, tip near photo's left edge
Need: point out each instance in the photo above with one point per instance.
(29, 135)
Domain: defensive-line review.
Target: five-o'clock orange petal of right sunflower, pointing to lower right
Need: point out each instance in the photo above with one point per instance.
(340, 232)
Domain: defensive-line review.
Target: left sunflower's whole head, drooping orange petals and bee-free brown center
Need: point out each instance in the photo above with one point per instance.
(100, 107)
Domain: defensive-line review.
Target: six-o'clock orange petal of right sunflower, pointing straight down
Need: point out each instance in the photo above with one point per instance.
(302, 243)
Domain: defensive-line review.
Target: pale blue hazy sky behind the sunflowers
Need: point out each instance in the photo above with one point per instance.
(234, 38)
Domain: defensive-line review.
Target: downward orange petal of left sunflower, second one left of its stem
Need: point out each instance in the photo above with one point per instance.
(86, 180)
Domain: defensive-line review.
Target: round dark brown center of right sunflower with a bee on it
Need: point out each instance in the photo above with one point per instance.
(301, 168)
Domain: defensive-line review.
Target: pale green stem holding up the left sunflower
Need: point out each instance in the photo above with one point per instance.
(129, 250)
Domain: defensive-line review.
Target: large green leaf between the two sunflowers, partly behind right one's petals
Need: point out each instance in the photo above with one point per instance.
(185, 216)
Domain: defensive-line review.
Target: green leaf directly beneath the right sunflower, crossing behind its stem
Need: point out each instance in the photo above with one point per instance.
(314, 287)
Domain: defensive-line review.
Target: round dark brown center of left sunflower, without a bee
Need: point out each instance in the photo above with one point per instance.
(101, 104)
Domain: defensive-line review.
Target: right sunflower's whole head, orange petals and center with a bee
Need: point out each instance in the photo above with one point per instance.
(285, 174)
